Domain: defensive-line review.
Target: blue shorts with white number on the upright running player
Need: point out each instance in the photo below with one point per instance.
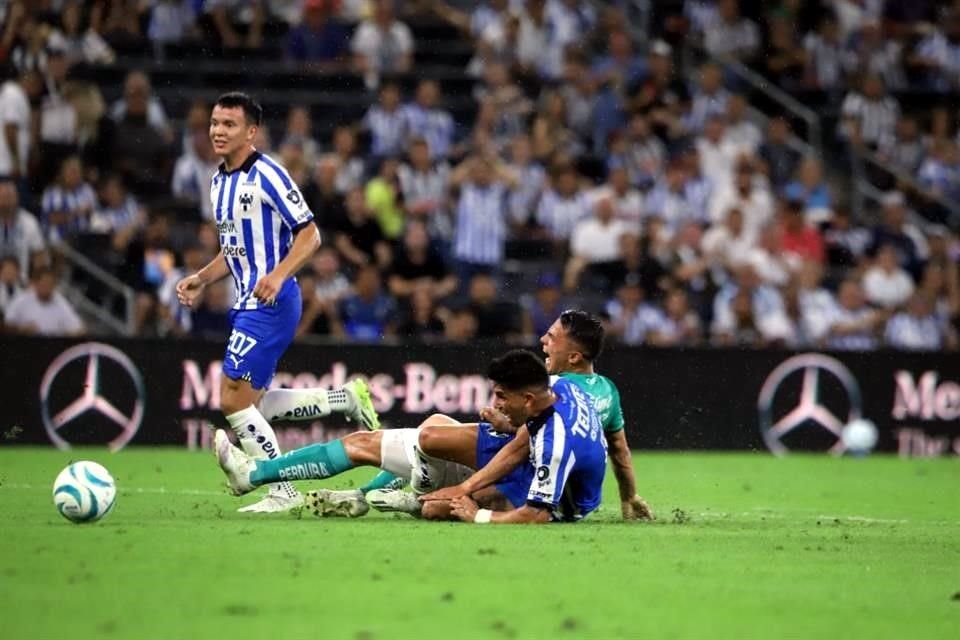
(259, 337)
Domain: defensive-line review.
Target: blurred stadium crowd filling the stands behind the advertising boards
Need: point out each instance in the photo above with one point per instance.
(589, 163)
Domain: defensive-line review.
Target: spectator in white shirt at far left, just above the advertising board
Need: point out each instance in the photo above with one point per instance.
(42, 310)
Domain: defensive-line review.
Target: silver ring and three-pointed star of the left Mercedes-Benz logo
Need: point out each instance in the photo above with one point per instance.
(91, 397)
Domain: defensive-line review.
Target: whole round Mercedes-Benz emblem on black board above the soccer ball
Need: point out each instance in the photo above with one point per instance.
(86, 395)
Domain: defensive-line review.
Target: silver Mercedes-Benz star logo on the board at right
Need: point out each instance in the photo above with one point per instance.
(819, 373)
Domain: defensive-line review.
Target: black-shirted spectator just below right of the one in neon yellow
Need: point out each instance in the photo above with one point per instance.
(417, 265)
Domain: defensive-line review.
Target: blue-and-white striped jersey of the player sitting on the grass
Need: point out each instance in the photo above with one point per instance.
(568, 453)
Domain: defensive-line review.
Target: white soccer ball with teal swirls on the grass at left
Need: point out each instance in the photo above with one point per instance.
(84, 492)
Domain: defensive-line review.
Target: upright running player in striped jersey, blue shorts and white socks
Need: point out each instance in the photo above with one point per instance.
(266, 235)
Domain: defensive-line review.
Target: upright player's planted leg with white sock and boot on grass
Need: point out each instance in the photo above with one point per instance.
(238, 401)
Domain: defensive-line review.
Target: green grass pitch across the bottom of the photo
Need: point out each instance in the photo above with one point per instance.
(744, 546)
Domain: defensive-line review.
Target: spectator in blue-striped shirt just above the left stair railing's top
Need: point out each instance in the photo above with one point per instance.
(69, 203)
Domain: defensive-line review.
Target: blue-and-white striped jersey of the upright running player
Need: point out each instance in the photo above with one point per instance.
(258, 208)
